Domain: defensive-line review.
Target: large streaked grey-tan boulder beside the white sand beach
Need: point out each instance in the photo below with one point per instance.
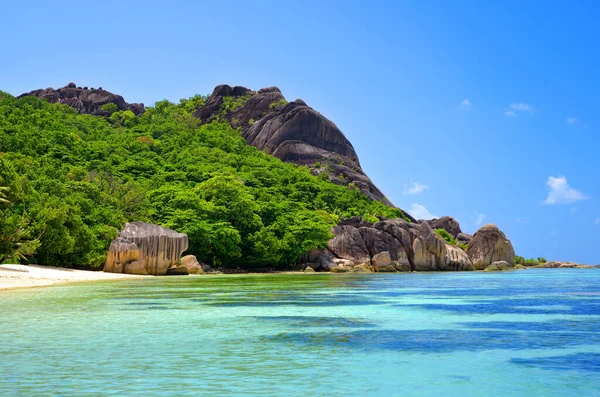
(144, 248)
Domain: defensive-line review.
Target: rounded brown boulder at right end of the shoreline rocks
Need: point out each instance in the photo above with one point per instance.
(490, 245)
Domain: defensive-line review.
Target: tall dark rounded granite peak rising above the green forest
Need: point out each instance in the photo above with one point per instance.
(292, 132)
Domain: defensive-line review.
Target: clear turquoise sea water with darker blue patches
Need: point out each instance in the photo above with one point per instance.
(527, 333)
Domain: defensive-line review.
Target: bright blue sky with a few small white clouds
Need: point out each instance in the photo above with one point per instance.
(485, 111)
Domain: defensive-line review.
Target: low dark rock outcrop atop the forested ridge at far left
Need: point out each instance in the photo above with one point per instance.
(86, 100)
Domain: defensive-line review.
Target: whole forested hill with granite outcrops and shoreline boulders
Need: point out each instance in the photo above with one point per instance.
(253, 182)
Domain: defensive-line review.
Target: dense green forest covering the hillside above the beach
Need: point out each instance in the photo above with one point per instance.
(71, 180)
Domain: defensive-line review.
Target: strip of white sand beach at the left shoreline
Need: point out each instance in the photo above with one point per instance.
(21, 276)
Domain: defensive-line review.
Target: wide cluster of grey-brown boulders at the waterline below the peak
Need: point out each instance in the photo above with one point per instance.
(389, 245)
